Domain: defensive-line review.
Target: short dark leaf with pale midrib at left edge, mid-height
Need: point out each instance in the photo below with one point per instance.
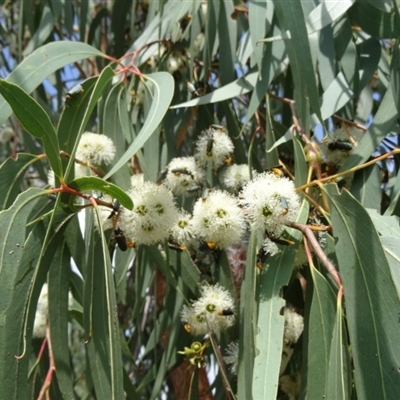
(12, 173)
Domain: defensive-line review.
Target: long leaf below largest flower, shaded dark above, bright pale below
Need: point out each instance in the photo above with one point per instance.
(269, 336)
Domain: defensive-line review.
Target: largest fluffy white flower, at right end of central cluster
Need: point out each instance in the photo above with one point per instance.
(270, 201)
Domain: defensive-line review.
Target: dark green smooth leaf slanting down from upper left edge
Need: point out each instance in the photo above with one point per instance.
(34, 120)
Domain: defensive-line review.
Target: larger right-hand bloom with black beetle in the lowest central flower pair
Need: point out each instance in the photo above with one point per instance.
(216, 305)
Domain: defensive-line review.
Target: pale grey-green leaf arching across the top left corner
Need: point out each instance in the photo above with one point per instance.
(50, 58)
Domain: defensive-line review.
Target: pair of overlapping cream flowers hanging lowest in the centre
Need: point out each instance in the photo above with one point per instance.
(214, 311)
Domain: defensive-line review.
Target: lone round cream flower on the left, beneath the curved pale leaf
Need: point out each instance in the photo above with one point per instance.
(95, 149)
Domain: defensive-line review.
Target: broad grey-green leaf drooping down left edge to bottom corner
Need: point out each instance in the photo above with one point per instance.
(14, 274)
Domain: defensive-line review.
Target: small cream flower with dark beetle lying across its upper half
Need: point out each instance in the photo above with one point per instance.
(183, 174)
